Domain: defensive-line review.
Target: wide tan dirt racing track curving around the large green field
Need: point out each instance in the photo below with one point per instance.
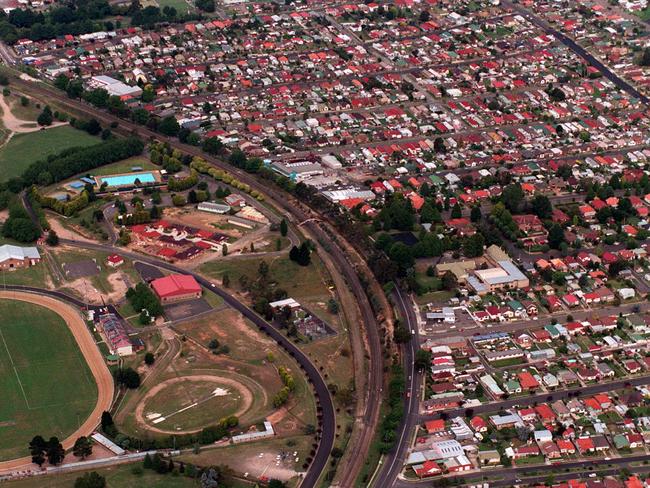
(91, 354)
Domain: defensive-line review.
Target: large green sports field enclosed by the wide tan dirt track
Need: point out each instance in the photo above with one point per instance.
(45, 385)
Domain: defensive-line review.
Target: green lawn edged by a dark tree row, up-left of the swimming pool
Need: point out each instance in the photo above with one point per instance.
(24, 149)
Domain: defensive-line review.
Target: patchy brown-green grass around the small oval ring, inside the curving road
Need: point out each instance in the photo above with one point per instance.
(245, 361)
